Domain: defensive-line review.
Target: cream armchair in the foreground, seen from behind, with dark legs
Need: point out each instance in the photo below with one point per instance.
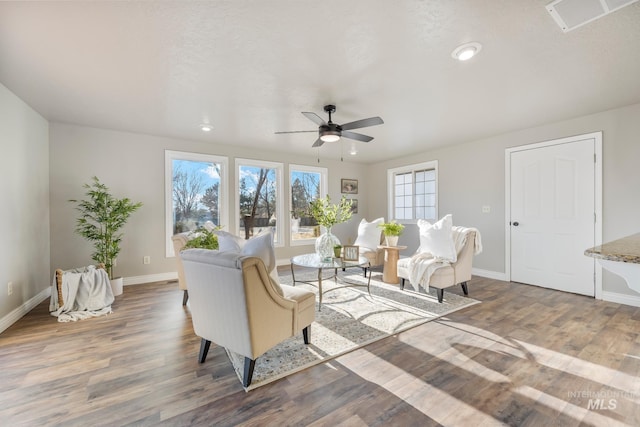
(235, 304)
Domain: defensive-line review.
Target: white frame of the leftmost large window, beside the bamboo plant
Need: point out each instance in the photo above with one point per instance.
(169, 157)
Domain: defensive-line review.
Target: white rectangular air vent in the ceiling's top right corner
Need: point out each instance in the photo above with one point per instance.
(570, 14)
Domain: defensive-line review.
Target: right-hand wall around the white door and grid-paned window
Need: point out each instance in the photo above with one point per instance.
(471, 175)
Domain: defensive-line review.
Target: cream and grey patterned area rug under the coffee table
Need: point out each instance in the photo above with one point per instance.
(350, 318)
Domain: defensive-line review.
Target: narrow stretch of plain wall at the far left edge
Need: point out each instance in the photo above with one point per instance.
(24, 191)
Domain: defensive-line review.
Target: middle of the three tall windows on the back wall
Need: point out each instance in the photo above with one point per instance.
(258, 190)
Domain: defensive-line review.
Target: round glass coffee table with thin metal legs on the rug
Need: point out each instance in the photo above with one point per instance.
(315, 261)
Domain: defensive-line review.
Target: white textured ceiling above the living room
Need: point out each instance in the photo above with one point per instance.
(251, 67)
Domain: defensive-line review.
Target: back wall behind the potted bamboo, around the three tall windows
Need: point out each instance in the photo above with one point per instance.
(132, 165)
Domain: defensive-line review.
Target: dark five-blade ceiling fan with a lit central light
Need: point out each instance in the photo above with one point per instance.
(332, 132)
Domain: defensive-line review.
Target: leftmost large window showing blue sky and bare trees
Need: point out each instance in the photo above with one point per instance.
(195, 192)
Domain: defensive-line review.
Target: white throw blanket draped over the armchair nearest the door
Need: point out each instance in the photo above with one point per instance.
(423, 265)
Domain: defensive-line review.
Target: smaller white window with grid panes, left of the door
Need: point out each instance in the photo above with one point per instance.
(413, 192)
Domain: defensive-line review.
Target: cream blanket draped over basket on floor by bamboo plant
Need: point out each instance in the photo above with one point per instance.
(86, 292)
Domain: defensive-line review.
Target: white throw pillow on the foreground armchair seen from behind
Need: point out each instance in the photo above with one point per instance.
(261, 246)
